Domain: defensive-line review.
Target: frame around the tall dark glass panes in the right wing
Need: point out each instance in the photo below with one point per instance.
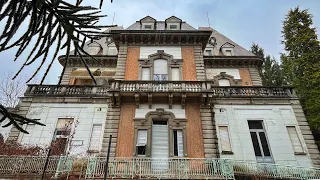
(257, 131)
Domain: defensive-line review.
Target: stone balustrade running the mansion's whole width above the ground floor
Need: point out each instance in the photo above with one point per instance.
(160, 87)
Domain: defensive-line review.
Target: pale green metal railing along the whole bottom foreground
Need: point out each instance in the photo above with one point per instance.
(133, 168)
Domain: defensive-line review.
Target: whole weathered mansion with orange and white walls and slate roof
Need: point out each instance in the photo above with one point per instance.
(168, 90)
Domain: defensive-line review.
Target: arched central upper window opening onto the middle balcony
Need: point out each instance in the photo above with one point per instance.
(160, 70)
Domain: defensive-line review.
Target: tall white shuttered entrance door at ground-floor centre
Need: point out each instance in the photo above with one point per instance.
(160, 146)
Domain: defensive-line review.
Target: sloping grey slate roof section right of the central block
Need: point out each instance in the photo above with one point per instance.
(221, 40)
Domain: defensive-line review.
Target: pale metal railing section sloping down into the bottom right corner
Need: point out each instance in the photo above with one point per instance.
(268, 170)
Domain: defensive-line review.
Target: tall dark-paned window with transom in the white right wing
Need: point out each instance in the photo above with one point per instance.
(259, 141)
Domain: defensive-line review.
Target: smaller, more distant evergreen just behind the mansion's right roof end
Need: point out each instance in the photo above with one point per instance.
(271, 73)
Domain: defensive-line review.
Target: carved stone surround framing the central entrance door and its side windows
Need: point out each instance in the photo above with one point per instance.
(173, 124)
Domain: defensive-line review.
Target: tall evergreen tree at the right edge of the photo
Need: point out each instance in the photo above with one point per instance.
(301, 61)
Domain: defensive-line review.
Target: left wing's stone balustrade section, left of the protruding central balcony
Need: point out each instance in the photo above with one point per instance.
(66, 90)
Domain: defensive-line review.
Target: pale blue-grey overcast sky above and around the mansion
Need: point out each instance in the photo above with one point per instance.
(243, 21)
